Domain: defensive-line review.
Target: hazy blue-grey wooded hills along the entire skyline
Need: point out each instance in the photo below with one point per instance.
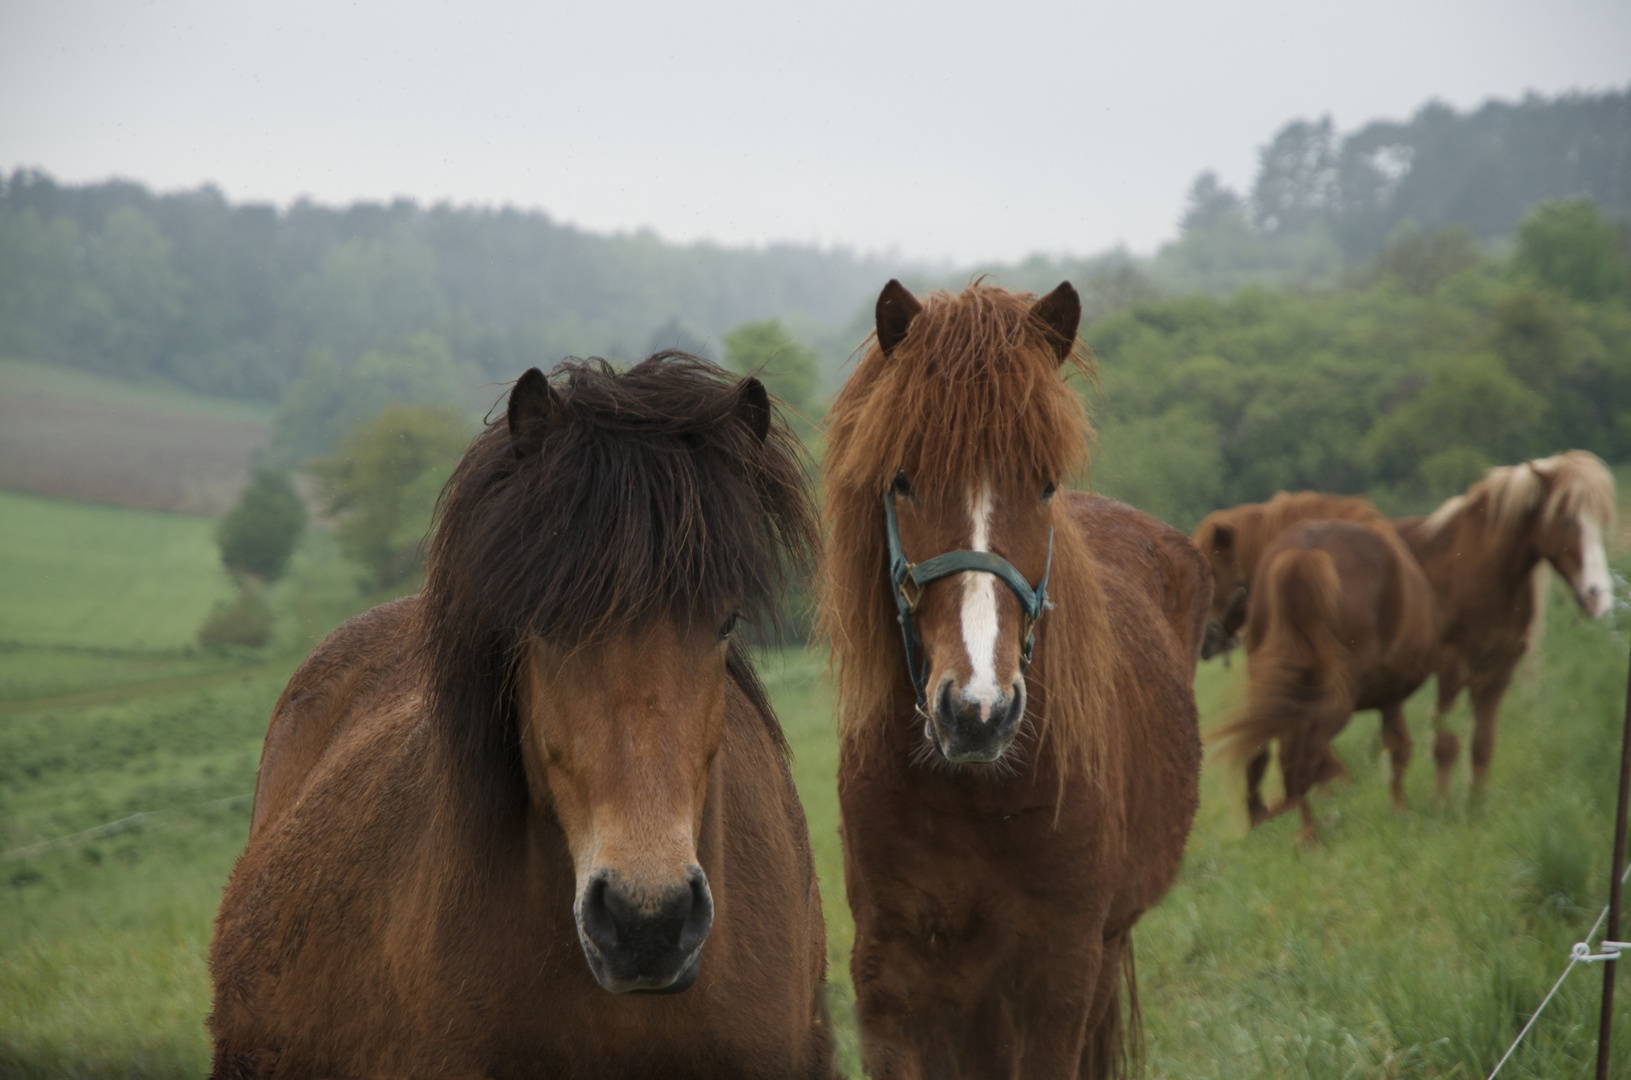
(244, 299)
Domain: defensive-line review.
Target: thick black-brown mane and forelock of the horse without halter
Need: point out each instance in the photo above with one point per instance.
(650, 498)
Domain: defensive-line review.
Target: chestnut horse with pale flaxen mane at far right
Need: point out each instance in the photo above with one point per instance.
(1487, 555)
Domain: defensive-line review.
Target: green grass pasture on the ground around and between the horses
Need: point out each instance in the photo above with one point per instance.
(1403, 947)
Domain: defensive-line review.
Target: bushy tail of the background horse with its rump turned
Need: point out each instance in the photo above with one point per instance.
(1296, 673)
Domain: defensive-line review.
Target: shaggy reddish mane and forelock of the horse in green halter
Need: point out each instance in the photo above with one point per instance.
(973, 392)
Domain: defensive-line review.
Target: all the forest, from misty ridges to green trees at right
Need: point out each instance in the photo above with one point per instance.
(1386, 312)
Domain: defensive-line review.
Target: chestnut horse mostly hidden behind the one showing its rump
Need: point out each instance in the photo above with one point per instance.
(1234, 541)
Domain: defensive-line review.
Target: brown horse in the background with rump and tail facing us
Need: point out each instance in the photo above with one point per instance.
(1341, 619)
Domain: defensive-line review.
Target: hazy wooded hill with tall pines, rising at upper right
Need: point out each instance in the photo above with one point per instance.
(1325, 203)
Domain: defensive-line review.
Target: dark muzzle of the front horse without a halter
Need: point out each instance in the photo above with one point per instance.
(643, 942)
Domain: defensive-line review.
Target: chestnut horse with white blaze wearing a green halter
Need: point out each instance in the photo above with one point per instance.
(1020, 755)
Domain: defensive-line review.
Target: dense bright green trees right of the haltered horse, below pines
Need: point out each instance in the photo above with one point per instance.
(1433, 366)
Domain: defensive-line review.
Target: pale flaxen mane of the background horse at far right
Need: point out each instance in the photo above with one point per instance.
(1575, 482)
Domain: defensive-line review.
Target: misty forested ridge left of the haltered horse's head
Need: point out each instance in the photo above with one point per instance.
(242, 299)
